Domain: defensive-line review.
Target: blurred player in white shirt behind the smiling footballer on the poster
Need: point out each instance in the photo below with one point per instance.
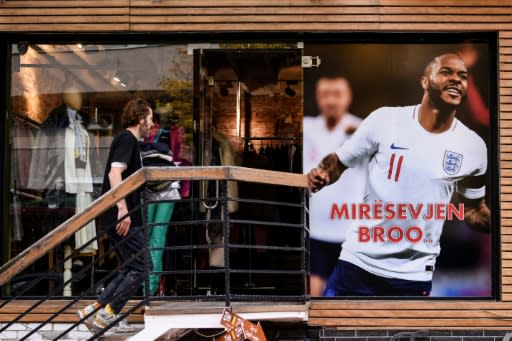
(324, 134)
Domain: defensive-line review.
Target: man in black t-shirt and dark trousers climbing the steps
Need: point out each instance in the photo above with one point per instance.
(123, 222)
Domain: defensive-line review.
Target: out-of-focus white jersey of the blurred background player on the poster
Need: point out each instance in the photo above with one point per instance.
(318, 142)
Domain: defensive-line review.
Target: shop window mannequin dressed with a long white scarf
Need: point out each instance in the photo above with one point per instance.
(61, 165)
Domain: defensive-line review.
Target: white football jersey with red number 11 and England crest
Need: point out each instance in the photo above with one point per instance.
(408, 165)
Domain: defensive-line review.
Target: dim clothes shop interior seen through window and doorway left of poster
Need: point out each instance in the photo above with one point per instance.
(249, 100)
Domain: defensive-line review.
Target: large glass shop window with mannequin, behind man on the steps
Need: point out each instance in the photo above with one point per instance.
(66, 102)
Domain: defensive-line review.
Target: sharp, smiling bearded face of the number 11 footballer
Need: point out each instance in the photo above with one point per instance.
(448, 81)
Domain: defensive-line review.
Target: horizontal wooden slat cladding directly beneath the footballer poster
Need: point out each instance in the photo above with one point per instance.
(409, 314)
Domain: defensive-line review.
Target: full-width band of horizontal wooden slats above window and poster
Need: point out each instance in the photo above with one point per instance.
(254, 15)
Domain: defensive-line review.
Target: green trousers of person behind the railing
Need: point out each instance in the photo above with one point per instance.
(159, 215)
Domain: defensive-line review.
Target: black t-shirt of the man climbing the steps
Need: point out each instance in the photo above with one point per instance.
(125, 149)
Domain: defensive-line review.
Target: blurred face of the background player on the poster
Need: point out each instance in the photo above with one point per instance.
(333, 97)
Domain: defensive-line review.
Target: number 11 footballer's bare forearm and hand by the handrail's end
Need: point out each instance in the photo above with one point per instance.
(328, 171)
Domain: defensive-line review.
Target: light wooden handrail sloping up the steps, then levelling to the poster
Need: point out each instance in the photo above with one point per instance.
(62, 232)
